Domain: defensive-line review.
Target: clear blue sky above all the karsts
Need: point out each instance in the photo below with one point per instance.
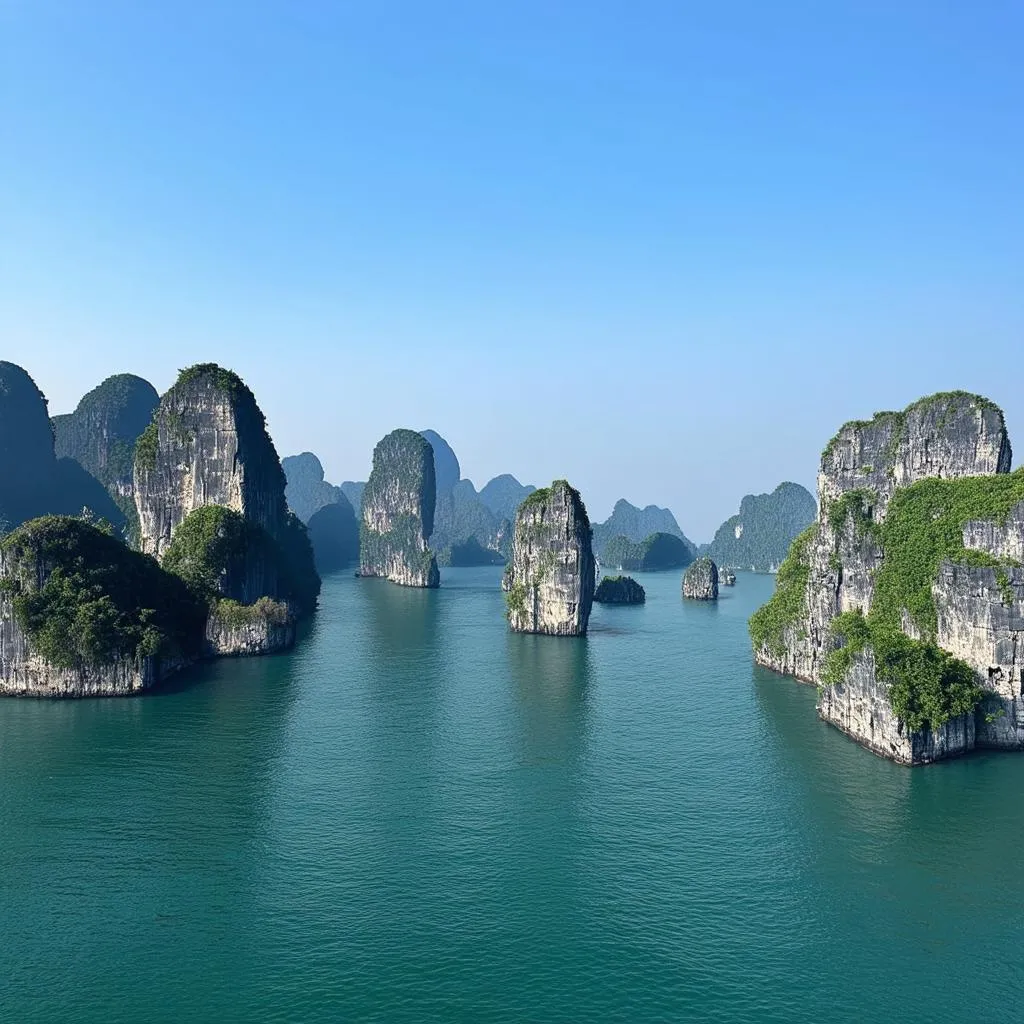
(662, 249)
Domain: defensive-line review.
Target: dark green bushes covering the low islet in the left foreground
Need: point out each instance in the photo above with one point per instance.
(101, 602)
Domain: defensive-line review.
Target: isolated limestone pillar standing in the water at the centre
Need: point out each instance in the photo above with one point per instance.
(550, 578)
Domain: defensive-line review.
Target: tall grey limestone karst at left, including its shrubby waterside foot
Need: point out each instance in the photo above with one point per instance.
(210, 491)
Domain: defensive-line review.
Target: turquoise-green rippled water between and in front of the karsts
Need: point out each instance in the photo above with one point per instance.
(417, 817)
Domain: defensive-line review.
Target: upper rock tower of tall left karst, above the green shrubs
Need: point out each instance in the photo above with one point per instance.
(207, 446)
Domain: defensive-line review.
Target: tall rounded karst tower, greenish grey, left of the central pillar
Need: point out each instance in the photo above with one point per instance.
(399, 513)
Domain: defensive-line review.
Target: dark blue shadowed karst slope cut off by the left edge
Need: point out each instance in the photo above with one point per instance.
(33, 481)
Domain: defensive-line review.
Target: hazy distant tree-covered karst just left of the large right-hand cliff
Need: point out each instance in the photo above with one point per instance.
(759, 537)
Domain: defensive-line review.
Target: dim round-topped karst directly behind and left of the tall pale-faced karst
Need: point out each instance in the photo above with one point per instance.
(102, 434)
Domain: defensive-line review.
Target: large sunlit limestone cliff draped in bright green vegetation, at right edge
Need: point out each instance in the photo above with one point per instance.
(903, 602)
